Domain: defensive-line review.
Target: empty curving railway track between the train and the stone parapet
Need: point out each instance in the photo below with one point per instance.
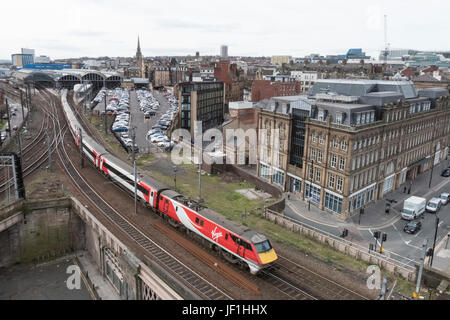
(198, 284)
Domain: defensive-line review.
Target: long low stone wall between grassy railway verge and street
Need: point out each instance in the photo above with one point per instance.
(391, 265)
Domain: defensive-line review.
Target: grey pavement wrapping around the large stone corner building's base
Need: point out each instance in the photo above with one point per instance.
(374, 216)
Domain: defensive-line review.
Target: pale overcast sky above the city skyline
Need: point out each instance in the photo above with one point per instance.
(75, 28)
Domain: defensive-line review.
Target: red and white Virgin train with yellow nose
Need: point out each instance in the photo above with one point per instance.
(237, 243)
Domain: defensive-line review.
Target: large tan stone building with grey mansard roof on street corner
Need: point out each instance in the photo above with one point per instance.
(362, 140)
